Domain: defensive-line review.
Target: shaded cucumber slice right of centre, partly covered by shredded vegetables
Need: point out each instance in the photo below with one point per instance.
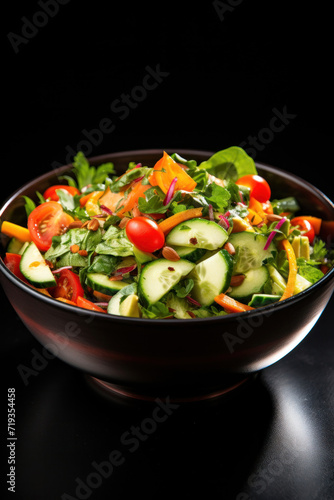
(250, 251)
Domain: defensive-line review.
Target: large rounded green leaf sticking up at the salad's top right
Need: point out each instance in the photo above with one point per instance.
(231, 163)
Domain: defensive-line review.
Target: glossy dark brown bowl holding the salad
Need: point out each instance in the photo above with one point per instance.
(182, 359)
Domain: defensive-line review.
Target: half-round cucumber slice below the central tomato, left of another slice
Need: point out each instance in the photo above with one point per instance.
(159, 276)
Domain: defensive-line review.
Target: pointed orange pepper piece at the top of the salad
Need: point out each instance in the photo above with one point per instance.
(165, 170)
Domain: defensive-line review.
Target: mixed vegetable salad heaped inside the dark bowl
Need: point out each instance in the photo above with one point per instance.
(174, 240)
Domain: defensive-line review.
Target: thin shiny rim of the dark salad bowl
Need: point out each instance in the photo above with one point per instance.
(265, 310)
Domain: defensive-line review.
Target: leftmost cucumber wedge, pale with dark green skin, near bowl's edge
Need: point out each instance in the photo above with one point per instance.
(35, 269)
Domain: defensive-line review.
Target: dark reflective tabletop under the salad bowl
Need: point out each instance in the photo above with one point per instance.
(272, 438)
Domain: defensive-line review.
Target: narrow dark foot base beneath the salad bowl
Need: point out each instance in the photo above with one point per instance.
(118, 393)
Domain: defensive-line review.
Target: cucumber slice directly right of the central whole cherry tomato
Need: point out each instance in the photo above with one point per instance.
(197, 233)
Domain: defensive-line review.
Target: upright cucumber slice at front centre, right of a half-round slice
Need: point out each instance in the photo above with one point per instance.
(211, 277)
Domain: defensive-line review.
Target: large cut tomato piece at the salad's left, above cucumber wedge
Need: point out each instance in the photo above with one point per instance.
(45, 221)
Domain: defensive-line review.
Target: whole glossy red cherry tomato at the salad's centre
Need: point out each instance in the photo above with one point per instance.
(145, 234)
